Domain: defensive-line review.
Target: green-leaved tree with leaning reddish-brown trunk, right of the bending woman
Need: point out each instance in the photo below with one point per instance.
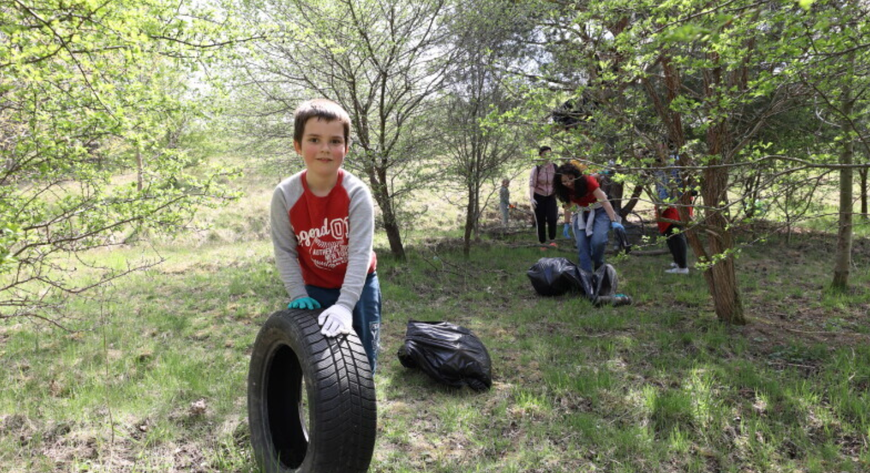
(711, 81)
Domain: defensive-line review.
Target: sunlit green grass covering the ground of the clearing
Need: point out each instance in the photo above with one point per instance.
(153, 376)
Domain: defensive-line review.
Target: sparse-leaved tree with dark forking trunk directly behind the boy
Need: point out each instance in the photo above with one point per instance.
(381, 60)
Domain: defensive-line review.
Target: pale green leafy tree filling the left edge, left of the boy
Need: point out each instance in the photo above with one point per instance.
(73, 101)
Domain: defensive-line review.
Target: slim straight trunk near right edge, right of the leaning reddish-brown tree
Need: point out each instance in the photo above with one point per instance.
(843, 257)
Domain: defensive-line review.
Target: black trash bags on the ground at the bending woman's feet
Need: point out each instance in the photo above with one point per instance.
(558, 276)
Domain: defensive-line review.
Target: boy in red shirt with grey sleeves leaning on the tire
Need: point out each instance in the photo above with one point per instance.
(322, 228)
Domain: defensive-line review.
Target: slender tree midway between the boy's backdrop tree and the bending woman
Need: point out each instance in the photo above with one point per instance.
(478, 151)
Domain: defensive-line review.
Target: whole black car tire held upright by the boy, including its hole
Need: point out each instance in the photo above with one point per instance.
(296, 374)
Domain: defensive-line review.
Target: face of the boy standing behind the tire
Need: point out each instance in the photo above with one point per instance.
(323, 146)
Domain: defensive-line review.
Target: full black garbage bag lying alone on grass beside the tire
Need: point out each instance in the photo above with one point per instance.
(448, 353)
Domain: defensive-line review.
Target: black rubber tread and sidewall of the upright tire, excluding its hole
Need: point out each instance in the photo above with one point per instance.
(342, 401)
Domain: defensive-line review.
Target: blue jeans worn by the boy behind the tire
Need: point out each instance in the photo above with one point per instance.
(366, 313)
